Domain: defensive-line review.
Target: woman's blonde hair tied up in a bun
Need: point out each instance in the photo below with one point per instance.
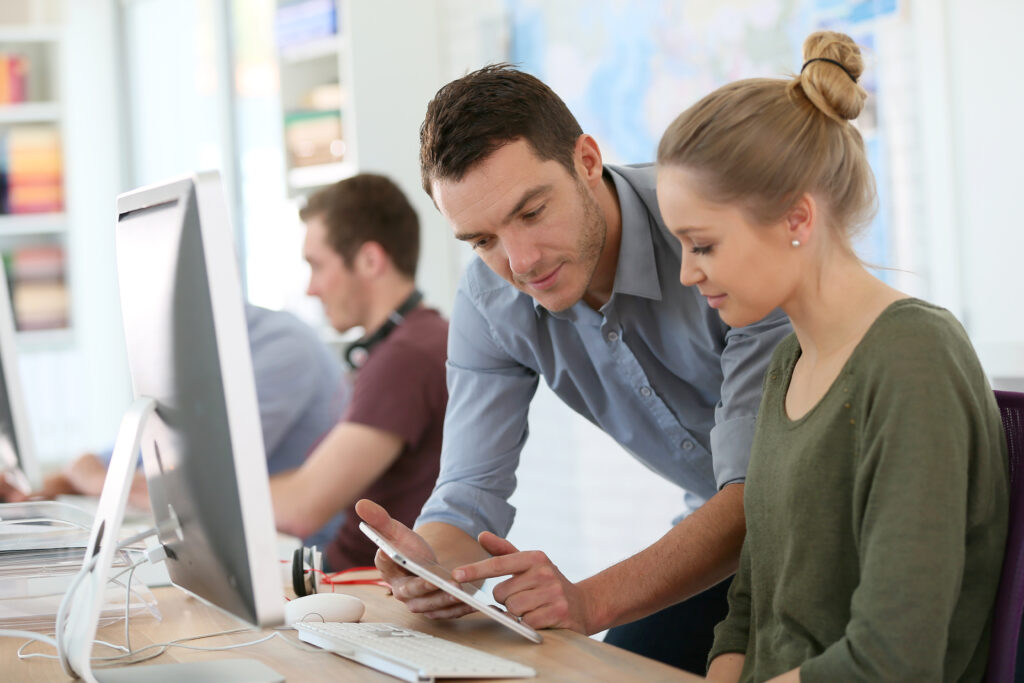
(763, 143)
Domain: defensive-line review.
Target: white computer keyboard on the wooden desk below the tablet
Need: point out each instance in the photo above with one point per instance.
(408, 655)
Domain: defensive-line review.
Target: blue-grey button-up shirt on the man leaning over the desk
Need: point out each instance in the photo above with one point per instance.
(656, 368)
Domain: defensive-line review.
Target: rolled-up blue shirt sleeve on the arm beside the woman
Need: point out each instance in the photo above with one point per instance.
(745, 360)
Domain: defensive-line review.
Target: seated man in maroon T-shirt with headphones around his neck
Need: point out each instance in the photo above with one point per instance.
(363, 245)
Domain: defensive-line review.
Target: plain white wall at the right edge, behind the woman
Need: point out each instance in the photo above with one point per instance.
(985, 110)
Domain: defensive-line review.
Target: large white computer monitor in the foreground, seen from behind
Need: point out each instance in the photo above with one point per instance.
(196, 415)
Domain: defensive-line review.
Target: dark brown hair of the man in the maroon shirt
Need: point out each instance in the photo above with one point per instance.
(368, 208)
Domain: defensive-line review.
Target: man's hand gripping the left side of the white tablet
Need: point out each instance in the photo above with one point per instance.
(418, 594)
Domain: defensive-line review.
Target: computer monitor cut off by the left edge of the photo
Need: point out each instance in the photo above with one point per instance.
(18, 456)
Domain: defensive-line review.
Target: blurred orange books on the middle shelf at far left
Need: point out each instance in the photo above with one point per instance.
(31, 170)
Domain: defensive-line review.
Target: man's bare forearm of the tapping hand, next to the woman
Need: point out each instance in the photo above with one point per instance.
(698, 553)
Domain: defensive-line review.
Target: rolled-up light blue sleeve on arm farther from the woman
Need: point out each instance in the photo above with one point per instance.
(486, 428)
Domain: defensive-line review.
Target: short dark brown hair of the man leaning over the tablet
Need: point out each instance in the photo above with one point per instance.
(473, 116)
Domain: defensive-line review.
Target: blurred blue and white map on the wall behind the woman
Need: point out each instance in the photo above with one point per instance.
(627, 70)
